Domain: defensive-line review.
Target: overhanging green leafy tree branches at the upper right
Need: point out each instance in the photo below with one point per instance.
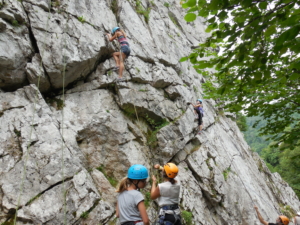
(254, 48)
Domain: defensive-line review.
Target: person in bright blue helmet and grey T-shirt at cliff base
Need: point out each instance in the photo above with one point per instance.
(130, 207)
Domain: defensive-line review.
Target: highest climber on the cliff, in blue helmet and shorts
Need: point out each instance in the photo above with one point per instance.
(119, 57)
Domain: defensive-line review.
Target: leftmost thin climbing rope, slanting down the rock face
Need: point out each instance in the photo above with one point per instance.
(21, 186)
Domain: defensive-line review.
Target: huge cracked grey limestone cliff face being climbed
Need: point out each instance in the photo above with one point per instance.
(62, 152)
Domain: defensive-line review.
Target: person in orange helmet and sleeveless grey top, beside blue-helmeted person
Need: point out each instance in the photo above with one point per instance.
(167, 195)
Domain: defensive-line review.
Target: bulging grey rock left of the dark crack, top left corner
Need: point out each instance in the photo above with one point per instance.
(15, 45)
